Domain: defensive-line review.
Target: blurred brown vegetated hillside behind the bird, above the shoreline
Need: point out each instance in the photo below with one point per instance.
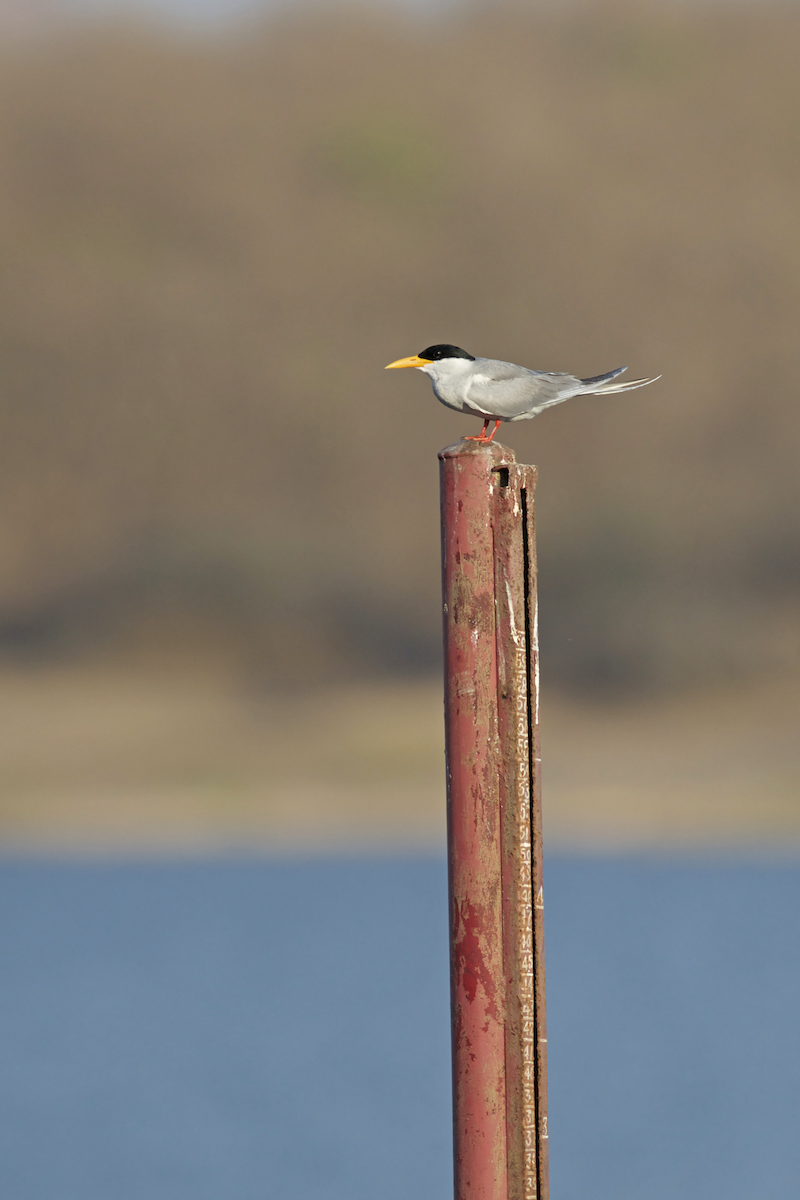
(212, 248)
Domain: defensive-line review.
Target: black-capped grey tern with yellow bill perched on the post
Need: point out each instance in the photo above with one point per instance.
(503, 392)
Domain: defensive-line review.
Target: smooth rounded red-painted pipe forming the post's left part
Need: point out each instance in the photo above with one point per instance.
(477, 917)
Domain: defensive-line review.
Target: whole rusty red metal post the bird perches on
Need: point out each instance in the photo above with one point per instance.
(495, 842)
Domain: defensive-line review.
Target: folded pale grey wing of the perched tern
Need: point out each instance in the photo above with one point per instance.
(513, 393)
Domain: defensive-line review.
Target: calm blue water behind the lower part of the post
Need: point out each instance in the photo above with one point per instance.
(242, 1030)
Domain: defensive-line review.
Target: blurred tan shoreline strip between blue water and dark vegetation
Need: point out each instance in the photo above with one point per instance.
(95, 763)
